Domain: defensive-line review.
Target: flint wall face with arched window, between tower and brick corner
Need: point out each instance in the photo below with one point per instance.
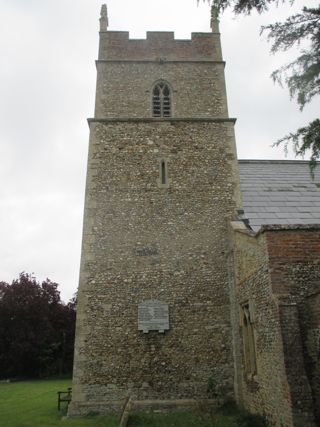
(267, 392)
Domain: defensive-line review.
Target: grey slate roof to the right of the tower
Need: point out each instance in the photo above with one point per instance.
(279, 192)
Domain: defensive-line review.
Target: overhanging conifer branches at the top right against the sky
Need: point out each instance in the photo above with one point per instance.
(301, 76)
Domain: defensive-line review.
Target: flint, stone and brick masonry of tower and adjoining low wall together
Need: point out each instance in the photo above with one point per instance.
(177, 292)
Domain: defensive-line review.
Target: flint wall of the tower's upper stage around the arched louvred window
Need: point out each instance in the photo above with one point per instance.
(125, 89)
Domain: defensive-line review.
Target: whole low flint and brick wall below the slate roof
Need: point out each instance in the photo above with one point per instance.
(278, 269)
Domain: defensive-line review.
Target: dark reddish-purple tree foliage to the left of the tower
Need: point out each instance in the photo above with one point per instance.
(36, 329)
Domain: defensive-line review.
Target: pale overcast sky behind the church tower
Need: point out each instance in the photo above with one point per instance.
(47, 85)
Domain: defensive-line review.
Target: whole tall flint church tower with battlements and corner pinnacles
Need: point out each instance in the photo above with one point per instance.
(153, 317)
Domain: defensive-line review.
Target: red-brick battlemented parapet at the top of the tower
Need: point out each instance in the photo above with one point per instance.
(159, 45)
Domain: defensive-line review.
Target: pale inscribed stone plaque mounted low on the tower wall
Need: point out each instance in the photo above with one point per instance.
(153, 315)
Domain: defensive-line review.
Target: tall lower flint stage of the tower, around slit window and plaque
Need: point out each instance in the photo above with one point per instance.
(143, 242)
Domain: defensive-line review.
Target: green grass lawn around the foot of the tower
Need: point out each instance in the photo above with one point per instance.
(34, 404)
